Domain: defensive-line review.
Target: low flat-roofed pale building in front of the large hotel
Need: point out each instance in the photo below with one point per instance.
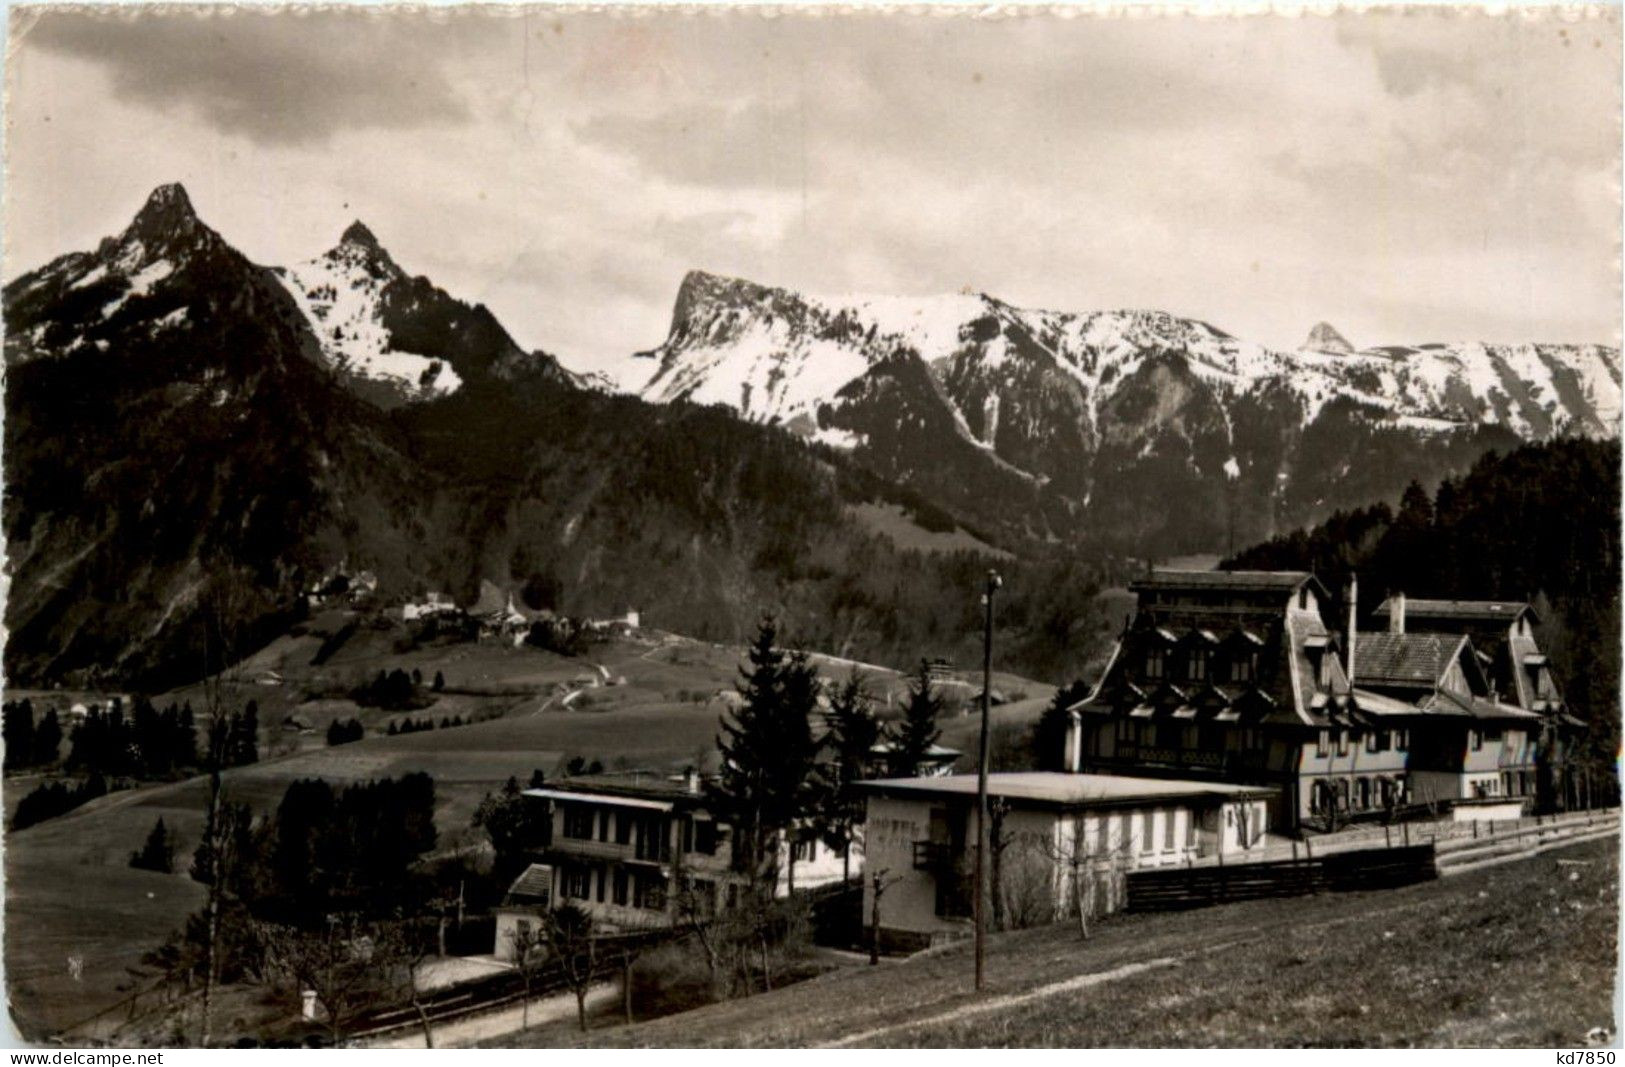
(1055, 834)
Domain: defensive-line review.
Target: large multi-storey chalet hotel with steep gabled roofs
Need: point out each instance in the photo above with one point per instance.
(1236, 676)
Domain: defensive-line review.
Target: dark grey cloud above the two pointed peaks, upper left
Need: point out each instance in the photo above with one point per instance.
(277, 79)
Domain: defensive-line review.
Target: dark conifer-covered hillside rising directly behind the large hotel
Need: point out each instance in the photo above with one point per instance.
(1538, 524)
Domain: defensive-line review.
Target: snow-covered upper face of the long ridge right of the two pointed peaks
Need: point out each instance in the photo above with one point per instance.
(774, 365)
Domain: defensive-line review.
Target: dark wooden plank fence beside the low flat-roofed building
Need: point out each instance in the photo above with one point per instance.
(1176, 889)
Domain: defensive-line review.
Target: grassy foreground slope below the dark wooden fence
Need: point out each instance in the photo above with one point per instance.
(1522, 954)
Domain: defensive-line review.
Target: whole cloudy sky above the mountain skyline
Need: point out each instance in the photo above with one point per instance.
(1405, 178)
